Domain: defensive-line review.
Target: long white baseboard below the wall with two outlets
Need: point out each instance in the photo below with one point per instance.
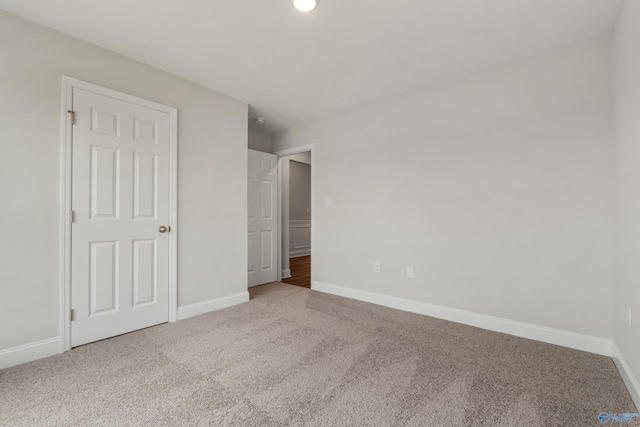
(559, 337)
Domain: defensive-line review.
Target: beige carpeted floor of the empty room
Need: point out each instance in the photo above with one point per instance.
(292, 356)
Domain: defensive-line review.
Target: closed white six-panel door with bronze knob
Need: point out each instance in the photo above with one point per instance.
(120, 200)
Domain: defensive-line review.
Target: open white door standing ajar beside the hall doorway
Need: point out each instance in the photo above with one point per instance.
(263, 245)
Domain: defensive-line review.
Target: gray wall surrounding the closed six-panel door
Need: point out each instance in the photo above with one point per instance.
(212, 174)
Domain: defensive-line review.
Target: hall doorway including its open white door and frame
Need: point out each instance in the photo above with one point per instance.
(280, 246)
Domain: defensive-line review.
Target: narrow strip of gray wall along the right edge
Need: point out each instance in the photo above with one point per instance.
(627, 130)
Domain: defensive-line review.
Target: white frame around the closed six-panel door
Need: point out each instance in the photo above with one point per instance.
(68, 84)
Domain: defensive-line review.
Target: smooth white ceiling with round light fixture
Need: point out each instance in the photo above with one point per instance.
(294, 68)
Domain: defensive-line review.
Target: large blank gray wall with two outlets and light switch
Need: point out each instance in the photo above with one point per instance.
(497, 188)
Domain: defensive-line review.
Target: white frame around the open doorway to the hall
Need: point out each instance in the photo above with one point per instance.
(288, 152)
